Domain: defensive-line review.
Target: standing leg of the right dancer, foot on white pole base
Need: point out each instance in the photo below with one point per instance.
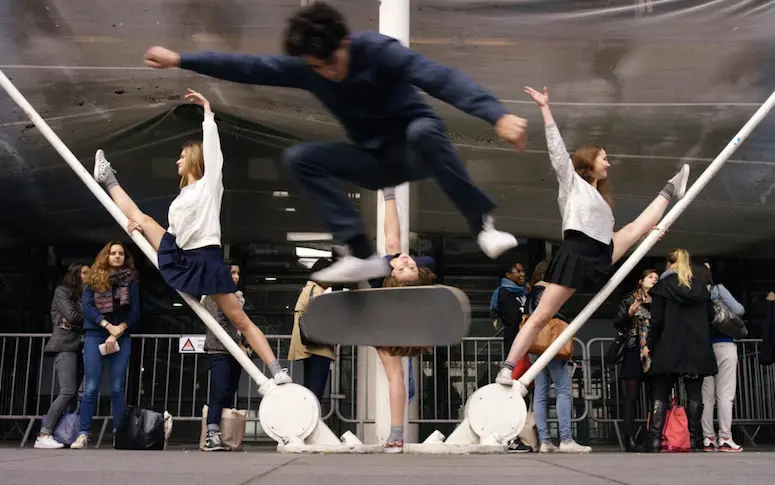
(553, 298)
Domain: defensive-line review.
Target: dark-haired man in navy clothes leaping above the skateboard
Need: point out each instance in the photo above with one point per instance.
(368, 81)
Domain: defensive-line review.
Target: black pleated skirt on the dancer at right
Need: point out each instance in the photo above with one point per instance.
(581, 263)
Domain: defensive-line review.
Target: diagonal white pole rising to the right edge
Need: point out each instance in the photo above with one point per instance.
(648, 243)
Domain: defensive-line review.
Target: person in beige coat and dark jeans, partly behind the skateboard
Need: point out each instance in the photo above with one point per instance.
(317, 358)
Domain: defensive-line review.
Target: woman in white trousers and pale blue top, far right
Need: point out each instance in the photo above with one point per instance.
(719, 391)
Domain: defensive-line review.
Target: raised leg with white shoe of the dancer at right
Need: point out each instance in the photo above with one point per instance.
(625, 237)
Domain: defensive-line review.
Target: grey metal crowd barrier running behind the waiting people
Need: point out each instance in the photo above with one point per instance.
(165, 379)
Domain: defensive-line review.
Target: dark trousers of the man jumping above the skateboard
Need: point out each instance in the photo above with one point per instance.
(425, 152)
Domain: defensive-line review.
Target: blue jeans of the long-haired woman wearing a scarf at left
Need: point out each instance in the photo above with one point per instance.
(118, 362)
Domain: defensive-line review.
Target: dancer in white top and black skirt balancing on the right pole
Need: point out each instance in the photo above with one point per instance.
(590, 246)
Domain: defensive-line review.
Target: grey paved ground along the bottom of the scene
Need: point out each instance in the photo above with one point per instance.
(33, 467)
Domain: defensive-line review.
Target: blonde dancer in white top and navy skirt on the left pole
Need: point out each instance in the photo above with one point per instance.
(190, 258)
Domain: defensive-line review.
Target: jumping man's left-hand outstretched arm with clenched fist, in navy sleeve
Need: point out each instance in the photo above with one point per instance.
(275, 70)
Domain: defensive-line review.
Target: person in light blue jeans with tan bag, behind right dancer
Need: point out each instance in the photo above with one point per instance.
(555, 371)
